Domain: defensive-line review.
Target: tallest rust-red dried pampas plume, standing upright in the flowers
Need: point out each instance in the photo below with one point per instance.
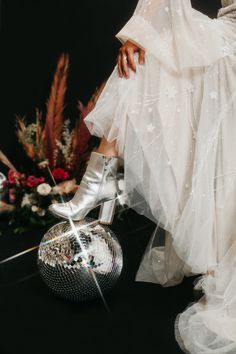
(55, 107)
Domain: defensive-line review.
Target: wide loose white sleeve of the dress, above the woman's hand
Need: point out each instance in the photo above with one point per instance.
(176, 34)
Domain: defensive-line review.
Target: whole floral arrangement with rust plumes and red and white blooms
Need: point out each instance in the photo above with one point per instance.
(59, 153)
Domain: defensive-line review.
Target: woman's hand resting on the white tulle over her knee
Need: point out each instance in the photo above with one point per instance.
(125, 58)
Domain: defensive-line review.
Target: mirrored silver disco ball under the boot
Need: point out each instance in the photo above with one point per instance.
(77, 262)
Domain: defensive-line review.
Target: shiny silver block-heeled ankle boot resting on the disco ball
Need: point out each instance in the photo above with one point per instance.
(99, 186)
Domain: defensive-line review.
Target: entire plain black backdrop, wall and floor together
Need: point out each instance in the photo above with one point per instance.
(33, 34)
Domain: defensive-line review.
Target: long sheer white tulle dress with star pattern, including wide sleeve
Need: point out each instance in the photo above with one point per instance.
(174, 123)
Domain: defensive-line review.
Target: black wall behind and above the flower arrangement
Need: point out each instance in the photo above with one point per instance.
(32, 35)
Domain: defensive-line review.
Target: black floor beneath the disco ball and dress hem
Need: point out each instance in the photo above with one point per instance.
(35, 321)
